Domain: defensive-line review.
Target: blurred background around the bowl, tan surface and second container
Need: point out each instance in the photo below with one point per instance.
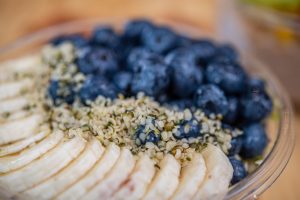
(269, 29)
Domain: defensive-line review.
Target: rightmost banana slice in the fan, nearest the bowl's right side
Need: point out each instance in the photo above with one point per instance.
(218, 176)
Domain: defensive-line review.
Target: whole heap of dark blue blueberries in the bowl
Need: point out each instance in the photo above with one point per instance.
(176, 71)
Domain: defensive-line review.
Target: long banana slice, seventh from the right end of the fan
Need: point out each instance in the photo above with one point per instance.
(73, 172)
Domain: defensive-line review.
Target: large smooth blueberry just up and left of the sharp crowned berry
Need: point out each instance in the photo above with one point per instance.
(186, 76)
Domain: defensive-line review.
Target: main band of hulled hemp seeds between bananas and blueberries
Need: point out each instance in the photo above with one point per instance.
(118, 120)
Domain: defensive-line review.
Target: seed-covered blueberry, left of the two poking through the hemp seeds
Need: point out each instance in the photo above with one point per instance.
(146, 136)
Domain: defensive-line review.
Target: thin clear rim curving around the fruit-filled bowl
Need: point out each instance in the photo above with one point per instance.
(277, 159)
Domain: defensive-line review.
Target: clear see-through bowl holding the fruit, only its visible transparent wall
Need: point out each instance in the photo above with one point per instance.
(279, 124)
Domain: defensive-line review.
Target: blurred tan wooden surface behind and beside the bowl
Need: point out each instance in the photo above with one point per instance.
(20, 17)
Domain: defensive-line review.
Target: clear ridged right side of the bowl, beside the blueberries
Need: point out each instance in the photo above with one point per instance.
(256, 183)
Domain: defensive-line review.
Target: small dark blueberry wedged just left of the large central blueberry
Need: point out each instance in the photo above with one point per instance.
(122, 81)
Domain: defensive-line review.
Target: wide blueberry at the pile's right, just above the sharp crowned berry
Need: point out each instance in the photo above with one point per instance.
(228, 76)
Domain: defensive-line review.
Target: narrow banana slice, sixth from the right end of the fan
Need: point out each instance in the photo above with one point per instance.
(94, 176)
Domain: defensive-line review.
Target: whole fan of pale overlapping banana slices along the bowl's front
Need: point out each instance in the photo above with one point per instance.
(37, 163)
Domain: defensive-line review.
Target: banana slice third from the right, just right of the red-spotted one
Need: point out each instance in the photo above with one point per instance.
(166, 180)
